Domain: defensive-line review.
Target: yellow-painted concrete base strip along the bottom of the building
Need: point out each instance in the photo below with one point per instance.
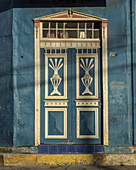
(67, 159)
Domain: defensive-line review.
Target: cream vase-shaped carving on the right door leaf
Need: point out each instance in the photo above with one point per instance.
(87, 79)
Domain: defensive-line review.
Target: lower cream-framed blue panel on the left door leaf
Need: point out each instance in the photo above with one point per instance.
(56, 123)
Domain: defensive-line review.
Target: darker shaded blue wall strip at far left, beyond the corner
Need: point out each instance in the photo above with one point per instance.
(6, 92)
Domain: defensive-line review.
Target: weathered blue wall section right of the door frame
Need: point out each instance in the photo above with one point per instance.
(120, 99)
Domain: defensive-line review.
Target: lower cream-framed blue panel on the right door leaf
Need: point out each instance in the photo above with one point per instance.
(87, 122)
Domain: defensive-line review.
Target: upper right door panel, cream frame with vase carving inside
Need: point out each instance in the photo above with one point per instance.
(87, 76)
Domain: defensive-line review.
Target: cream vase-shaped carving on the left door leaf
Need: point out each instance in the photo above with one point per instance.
(55, 80)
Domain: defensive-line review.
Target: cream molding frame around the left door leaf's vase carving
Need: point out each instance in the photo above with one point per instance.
(64, 56)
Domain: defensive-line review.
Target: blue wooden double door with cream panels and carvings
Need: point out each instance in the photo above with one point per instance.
(71, 96)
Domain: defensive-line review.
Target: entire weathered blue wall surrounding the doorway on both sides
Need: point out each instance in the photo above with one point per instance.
(17, 34)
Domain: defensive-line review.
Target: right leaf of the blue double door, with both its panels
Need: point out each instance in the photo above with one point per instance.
(87, 116)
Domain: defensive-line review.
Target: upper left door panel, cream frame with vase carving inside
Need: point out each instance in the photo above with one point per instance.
(55, 76)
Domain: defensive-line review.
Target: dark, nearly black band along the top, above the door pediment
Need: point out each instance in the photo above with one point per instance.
(8, 4)
